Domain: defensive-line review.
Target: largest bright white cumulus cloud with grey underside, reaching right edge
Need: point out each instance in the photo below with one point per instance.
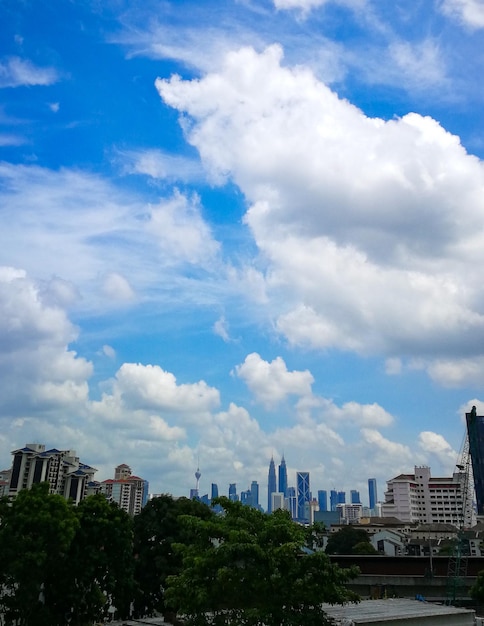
(371, 230)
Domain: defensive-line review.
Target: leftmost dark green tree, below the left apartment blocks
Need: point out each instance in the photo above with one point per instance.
(36, 533)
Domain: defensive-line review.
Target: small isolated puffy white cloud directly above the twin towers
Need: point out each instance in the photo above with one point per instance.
(271, 382)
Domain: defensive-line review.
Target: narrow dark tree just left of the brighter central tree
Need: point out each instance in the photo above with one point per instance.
(156, 528)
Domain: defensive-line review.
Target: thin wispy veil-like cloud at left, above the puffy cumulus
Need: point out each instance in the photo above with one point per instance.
(113, 244)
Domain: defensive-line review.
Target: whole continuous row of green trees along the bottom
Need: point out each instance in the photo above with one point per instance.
(65, 564)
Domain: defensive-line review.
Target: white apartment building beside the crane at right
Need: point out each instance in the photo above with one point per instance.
(421, 498)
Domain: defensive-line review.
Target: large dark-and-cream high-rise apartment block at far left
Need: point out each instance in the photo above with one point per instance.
(62, 469)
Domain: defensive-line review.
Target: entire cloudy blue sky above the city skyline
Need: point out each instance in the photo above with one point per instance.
(236, 229)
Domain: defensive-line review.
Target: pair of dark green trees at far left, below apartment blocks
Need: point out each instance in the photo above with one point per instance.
(60, 563)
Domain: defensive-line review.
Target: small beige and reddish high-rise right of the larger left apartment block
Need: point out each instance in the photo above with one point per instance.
(129, 492)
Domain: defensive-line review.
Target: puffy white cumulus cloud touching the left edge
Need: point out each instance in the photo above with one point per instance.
(38, 371)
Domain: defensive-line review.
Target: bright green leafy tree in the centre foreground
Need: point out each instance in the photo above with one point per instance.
(246, 567)
